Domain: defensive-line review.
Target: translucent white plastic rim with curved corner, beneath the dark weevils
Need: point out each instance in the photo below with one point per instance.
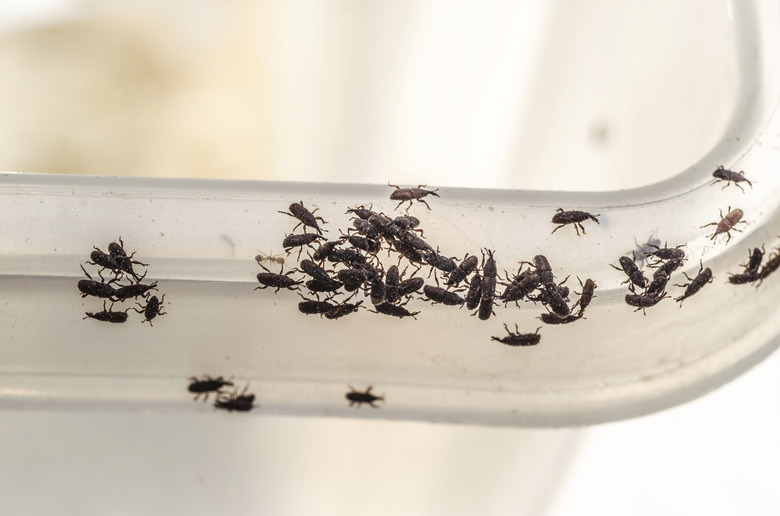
(200, 237)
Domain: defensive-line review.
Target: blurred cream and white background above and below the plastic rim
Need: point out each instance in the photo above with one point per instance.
(534, 94)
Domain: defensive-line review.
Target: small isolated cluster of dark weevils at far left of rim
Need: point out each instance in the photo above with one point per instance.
(121, 266)
